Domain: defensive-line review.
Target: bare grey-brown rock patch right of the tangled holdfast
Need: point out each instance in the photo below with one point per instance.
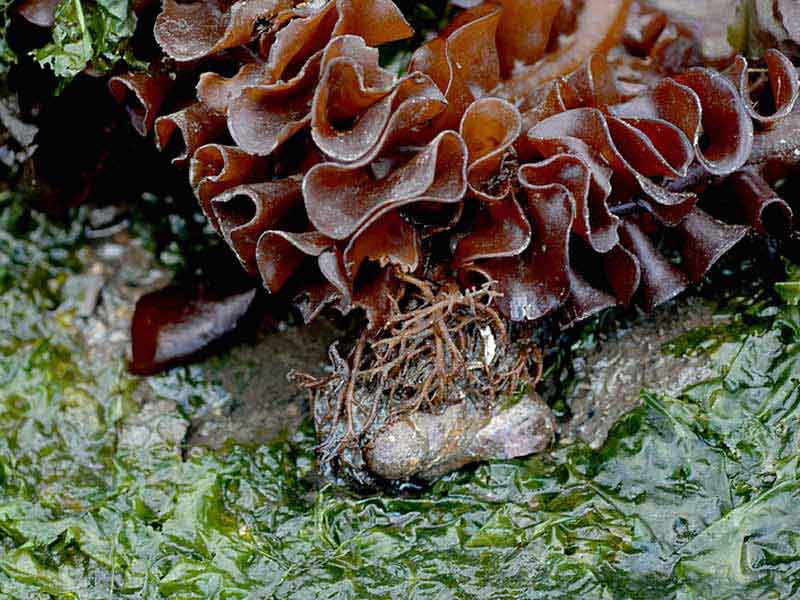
(610, 378)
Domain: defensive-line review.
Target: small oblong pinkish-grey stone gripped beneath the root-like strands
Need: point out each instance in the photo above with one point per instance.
(428, 445)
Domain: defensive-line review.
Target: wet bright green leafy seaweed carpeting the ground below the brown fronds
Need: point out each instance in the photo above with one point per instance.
(692, 496)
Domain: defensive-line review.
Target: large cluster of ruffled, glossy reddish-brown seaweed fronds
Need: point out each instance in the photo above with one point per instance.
(560, 150)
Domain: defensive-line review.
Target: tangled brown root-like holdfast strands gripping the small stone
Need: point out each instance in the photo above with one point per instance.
(440, 347)
